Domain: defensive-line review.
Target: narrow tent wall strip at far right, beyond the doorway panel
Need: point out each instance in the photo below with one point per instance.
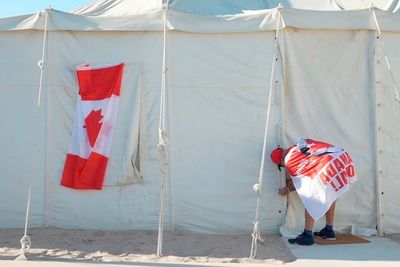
(388, 119)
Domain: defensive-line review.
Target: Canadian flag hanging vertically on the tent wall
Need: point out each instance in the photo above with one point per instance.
(96, 112)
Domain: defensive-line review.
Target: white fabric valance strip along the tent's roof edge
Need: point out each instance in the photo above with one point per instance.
(249, 21)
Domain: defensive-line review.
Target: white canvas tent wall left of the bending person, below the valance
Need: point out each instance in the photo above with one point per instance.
(216, 111)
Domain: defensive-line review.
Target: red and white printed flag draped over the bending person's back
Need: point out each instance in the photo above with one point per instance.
(320, 172)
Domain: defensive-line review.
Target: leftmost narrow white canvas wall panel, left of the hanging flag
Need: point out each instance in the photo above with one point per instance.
(23, 127)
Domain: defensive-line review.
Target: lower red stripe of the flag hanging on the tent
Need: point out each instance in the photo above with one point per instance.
(80, 173)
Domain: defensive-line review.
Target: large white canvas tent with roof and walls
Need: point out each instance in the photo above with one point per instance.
(331, 83)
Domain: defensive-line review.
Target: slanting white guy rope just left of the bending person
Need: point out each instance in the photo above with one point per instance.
(256, 235)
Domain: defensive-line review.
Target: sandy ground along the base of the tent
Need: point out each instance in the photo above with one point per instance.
(53, 244)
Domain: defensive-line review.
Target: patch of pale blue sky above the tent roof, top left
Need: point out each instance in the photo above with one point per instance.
(20, 7)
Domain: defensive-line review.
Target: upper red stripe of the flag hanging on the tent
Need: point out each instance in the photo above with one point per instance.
(98, 84)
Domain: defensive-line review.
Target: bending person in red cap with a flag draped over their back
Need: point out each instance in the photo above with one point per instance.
(320, 173)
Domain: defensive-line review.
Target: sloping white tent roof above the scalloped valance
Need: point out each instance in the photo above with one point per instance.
(225, 7)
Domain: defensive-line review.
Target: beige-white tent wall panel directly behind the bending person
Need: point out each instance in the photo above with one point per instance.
(316, 89)
